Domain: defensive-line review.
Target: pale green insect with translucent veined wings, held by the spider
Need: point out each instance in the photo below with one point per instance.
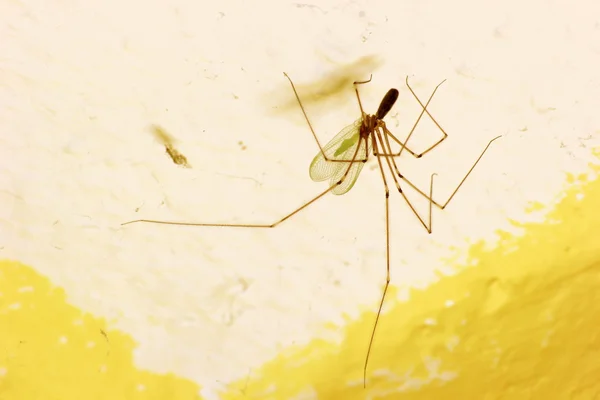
(341, 147)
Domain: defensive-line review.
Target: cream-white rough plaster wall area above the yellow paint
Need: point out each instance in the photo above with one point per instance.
(81, 85)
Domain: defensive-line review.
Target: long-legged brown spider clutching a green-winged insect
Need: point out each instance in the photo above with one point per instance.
(341, 160)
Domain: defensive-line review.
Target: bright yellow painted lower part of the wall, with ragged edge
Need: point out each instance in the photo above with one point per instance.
(519, 325)
